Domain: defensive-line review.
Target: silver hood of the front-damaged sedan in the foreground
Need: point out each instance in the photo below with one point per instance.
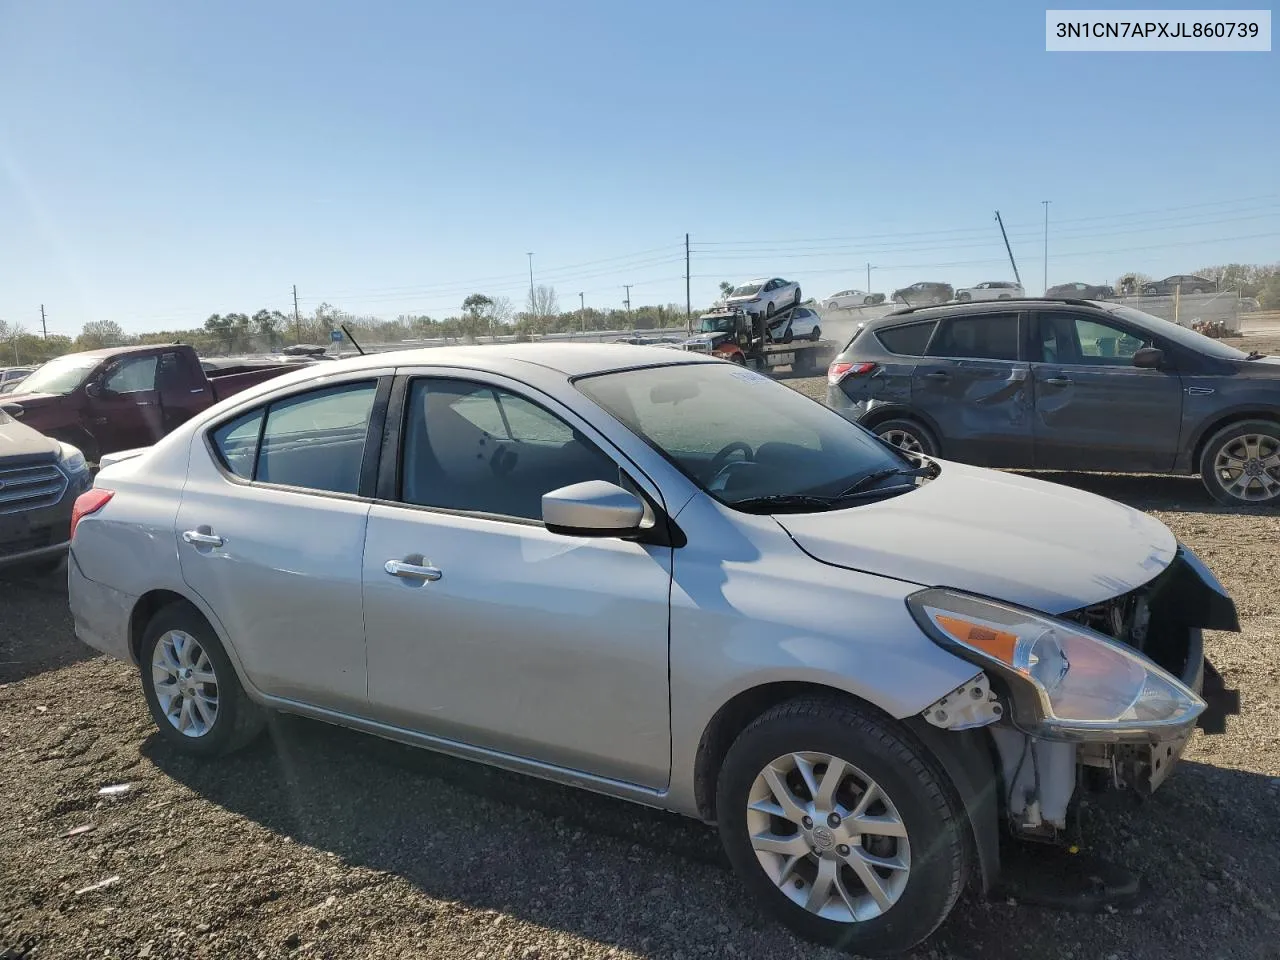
(1028, 542)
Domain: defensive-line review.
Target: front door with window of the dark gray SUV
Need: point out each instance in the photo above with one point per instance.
(1094, 409)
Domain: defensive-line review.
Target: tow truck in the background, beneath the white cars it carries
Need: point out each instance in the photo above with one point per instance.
(744, 339)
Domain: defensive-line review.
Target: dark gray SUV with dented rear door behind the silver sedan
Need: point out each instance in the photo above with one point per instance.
(1067, 385)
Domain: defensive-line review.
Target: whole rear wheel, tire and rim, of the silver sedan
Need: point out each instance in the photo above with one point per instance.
(191, 688)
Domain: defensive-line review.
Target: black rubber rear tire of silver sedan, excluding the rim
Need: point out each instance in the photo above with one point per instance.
(237, 721)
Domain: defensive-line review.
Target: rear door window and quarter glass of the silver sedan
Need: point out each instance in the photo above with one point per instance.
(314, 441)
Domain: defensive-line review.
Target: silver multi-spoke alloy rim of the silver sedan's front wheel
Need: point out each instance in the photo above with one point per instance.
(829, 838)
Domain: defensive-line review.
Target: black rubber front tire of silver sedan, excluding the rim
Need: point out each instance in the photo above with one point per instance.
(906, 772)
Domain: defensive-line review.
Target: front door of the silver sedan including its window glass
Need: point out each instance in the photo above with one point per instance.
(540, 646)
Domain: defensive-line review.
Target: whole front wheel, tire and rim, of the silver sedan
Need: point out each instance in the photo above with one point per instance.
(842, 826)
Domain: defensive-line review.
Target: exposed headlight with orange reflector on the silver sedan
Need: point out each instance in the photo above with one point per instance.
(1066, 682)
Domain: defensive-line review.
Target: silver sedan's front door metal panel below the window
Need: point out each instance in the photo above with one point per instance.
(533, 644)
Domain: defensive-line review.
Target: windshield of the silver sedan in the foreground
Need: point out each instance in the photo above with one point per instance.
(739, 435)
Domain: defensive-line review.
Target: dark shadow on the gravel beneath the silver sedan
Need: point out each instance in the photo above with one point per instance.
(495, 840)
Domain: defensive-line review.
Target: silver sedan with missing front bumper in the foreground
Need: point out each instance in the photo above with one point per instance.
(666, 579)
